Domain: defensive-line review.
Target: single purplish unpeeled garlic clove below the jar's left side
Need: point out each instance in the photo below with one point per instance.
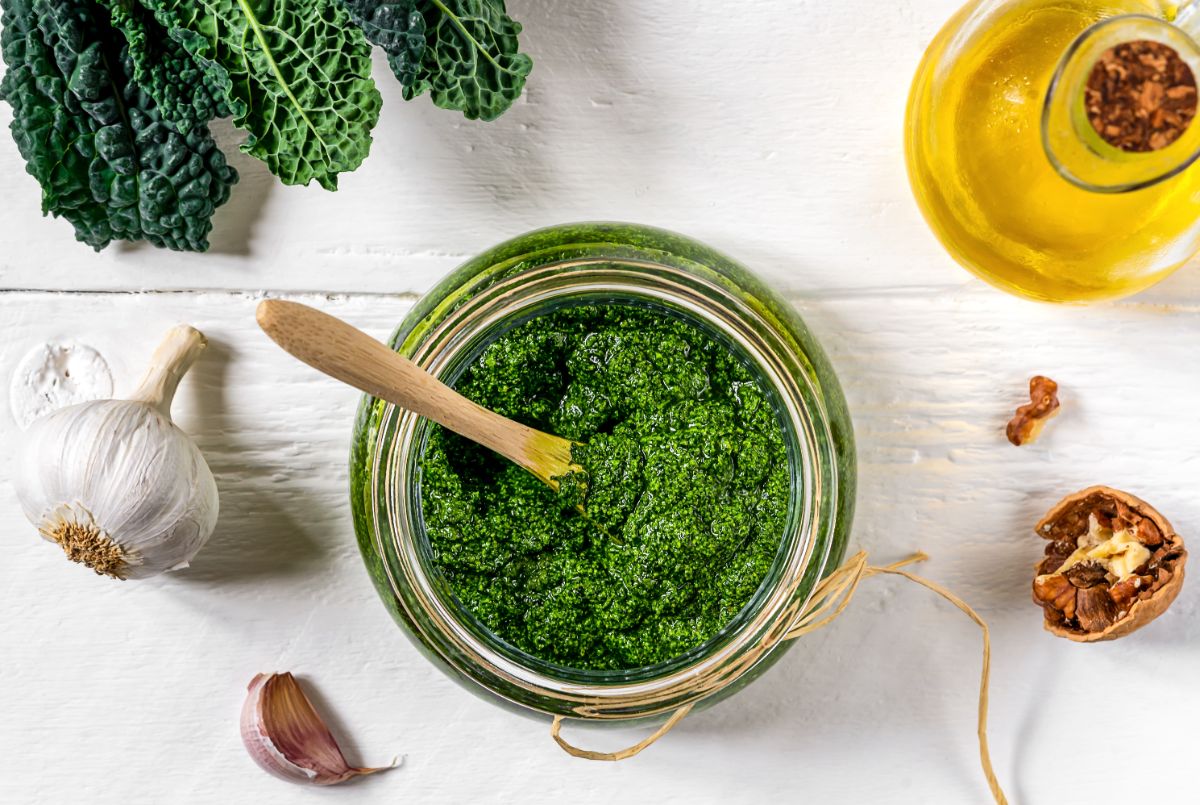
(286, 736)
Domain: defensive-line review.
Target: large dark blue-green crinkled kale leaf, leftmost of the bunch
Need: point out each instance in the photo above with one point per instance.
(107, 159)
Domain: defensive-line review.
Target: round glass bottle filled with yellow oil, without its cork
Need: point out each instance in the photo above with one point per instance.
(1010, 172)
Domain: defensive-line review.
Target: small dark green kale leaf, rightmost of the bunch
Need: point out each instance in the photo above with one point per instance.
(465, 53)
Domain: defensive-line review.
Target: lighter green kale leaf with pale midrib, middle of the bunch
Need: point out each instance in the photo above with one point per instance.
(297, 76)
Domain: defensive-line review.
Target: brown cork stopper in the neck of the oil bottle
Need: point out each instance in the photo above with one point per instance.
(1141, 97)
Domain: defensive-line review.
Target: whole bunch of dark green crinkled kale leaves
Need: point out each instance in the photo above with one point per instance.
(112, 99)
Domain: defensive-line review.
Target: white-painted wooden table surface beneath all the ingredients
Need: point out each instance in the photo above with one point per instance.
(771, 130)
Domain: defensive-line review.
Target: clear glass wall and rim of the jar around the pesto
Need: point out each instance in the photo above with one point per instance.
(533, 275)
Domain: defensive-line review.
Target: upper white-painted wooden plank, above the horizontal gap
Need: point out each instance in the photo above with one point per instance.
(752, 130)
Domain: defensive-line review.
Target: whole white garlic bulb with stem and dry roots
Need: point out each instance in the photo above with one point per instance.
(116, 484)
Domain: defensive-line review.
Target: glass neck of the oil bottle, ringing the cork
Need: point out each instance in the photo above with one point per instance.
(1073, 146)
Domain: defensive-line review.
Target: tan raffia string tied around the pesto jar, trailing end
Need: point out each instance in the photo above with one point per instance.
(830, 599)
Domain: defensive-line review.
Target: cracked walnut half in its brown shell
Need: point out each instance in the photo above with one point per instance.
(1113, 564)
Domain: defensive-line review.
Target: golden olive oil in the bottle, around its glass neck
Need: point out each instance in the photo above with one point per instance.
(987, 187)
